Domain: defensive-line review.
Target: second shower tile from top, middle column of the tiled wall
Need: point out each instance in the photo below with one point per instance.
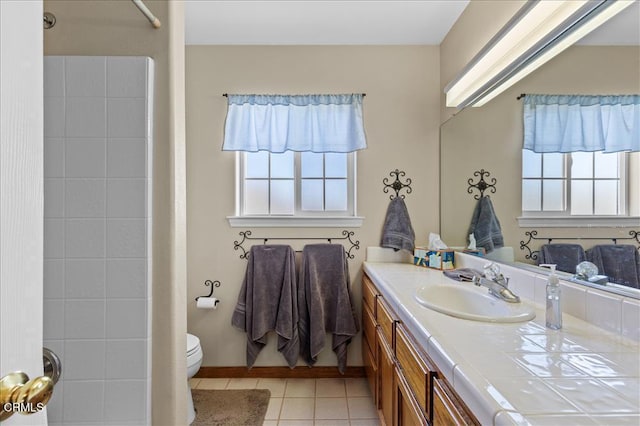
(86, 117)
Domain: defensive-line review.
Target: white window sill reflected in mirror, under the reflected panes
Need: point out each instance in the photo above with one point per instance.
(579, 221)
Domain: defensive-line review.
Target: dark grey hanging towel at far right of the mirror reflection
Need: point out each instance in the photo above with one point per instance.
(619, 262)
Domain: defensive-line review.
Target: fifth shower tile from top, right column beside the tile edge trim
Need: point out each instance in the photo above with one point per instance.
(126, 237)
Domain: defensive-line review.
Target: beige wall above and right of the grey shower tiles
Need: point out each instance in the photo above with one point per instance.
(87, 27)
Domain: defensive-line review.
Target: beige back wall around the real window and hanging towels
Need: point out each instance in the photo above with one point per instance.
(401, 112)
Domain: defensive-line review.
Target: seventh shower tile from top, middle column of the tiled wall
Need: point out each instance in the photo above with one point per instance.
(84, 319)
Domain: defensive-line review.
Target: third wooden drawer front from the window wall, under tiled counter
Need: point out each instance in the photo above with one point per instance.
(416, 371)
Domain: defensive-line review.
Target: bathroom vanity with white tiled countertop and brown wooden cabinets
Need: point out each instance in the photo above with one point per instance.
(427, 367)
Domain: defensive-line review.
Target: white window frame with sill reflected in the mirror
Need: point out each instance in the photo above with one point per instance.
(564, 218)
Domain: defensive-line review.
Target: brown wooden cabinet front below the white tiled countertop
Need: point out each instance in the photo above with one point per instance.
(406, 386)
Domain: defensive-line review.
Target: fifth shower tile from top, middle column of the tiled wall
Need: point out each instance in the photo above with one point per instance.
(84, 238)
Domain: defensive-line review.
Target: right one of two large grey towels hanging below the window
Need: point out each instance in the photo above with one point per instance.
(324, 302)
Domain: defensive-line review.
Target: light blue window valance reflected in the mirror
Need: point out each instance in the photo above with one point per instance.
(573, 123)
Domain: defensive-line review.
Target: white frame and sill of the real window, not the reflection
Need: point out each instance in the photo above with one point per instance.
(298, 218)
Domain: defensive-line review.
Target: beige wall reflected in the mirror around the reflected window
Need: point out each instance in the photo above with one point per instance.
(489, 139)
